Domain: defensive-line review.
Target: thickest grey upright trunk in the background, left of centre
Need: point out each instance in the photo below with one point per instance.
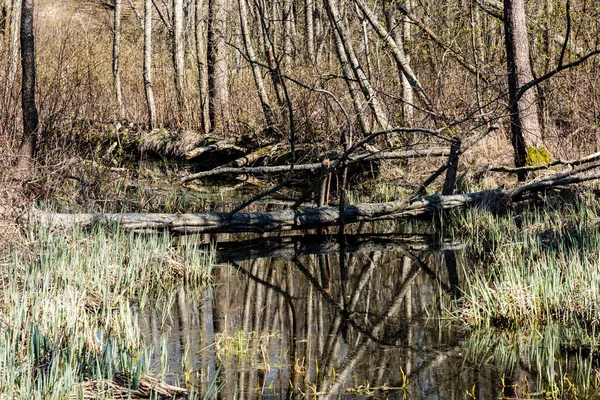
(218, 96)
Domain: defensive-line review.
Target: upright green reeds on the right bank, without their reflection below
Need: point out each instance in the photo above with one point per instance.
(534, 266)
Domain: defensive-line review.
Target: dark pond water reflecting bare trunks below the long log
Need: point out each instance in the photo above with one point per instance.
(284, 318)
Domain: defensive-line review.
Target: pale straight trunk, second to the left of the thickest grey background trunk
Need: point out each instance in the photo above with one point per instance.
(179, 58)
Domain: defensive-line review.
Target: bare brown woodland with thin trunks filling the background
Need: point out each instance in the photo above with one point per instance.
(162, 76)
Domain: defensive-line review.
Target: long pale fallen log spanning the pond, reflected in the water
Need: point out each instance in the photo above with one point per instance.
(285, 220)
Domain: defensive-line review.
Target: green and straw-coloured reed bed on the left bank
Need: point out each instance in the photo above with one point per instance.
(66, 310)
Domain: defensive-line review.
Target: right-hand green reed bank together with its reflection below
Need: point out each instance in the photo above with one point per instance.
(530, 295)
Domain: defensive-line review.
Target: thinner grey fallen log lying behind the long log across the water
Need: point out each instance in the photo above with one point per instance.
(315, 166)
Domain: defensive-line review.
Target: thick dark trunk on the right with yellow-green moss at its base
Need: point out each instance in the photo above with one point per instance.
(525, 128)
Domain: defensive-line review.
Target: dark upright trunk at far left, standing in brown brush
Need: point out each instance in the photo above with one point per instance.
(30, 114)
